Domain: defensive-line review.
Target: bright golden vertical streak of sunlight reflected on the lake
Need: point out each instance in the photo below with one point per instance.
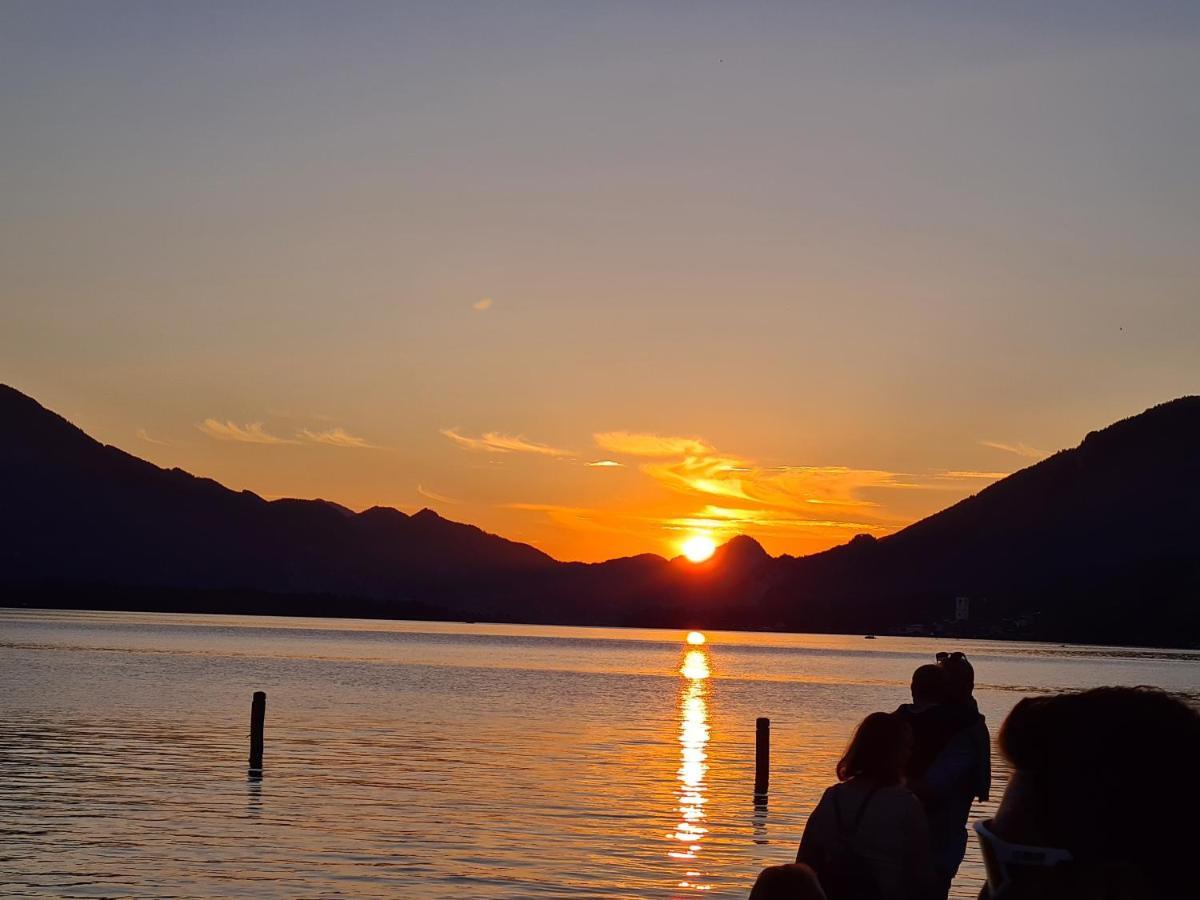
(693, 767)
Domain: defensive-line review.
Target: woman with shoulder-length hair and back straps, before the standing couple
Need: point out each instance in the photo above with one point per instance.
(868, 838)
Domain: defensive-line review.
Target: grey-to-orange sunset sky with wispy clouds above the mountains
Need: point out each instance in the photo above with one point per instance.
(601, 277)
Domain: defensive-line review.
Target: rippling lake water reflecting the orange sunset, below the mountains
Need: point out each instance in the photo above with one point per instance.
(446, 760)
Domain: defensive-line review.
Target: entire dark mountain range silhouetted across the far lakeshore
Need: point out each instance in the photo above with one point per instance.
(1094, 544)
